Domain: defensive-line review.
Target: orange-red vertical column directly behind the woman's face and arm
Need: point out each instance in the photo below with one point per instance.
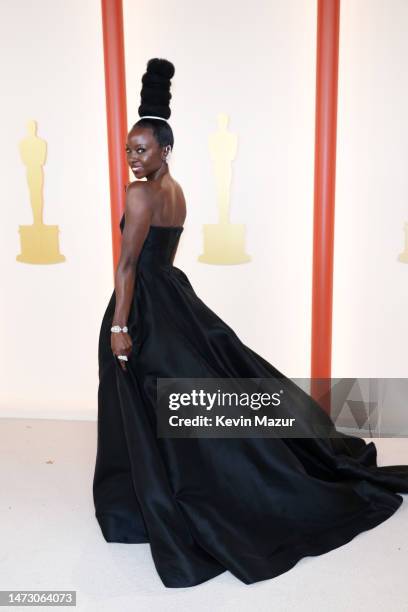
(115, 89)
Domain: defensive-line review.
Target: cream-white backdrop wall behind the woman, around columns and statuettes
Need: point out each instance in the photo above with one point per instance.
(257, 64)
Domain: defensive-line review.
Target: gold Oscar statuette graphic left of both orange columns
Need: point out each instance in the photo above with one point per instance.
(38, 242)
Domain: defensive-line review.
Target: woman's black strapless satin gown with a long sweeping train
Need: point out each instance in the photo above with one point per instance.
(253, 506)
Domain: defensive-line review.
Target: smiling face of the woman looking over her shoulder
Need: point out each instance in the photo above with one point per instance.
(144, 155)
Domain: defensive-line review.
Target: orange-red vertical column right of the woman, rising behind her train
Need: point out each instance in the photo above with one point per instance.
(328, 19)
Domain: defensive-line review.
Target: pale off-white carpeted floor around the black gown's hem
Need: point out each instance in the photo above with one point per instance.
(50, 540)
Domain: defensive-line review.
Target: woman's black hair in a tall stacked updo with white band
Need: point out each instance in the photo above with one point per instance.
(155, 100)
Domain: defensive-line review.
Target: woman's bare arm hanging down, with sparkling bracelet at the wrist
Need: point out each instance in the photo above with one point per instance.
(138, 215)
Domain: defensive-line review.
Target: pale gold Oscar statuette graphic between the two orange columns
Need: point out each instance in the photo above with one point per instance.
(224, 242)
